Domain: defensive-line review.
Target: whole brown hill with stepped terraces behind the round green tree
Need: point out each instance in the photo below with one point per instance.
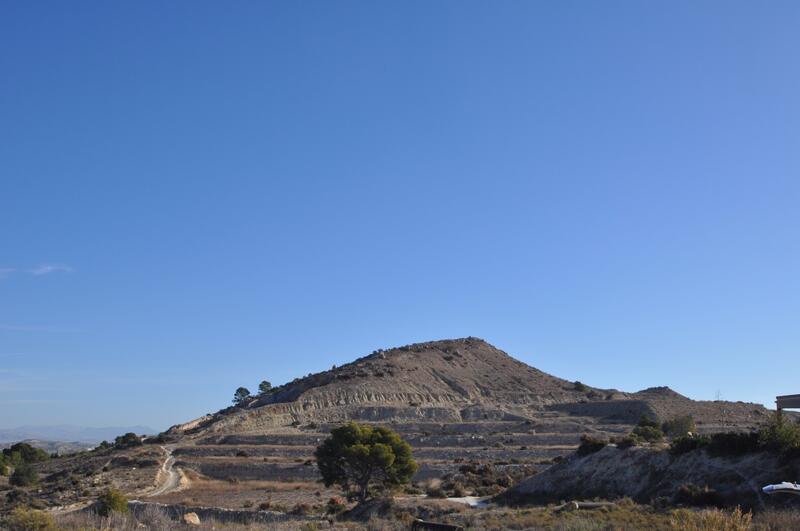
(455, 401)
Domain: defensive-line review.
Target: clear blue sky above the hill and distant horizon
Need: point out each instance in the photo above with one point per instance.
(200, 195)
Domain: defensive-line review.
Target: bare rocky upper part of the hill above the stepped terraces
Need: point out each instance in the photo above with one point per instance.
(452, 381)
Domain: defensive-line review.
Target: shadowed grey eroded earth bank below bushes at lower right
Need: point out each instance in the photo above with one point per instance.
(645, 474)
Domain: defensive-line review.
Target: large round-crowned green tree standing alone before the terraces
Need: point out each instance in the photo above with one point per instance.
(362, 459)
